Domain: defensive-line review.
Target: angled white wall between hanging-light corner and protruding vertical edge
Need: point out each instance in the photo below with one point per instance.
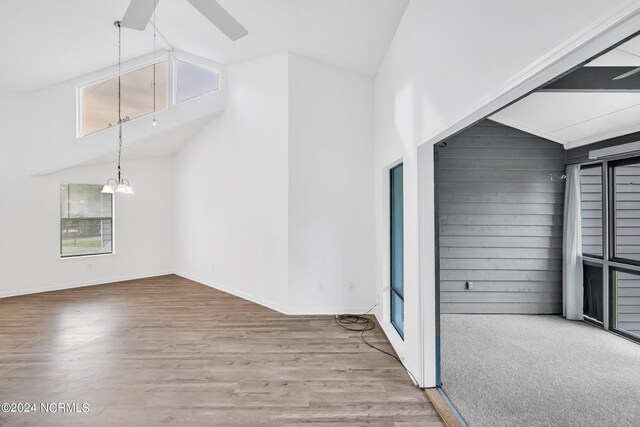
(231, 189)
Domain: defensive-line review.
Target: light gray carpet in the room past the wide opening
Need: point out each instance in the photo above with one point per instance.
(517, 370)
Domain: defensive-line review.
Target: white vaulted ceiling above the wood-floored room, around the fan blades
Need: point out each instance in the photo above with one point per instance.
(44, 42)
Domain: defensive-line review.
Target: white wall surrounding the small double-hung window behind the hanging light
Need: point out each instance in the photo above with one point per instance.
(30, 215)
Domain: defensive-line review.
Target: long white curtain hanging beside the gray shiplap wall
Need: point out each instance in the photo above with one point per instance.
(572, 287)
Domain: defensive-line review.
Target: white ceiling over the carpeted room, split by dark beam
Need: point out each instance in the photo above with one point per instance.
(578, 119)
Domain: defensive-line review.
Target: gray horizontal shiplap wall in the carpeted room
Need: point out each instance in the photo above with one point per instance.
(500, 221)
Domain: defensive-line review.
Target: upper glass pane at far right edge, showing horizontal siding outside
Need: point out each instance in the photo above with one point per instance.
(627, 211)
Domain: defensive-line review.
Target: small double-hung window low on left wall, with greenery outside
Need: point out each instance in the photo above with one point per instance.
(86, 223)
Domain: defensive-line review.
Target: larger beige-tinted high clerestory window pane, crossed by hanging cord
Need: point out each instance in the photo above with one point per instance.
(99, 102)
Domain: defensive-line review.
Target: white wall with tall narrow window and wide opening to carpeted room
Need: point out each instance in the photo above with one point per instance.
(449, 64)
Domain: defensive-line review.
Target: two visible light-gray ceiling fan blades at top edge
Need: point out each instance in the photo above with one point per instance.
(139, 12)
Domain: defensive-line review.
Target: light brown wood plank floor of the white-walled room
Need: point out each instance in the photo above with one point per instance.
(167, 350)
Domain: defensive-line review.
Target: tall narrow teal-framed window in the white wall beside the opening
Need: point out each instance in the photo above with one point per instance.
(397, 248)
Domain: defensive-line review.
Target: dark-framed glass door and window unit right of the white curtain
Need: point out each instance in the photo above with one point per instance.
(610, 195)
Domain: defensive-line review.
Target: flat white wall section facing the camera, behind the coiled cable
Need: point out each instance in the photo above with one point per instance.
(330, 188)
